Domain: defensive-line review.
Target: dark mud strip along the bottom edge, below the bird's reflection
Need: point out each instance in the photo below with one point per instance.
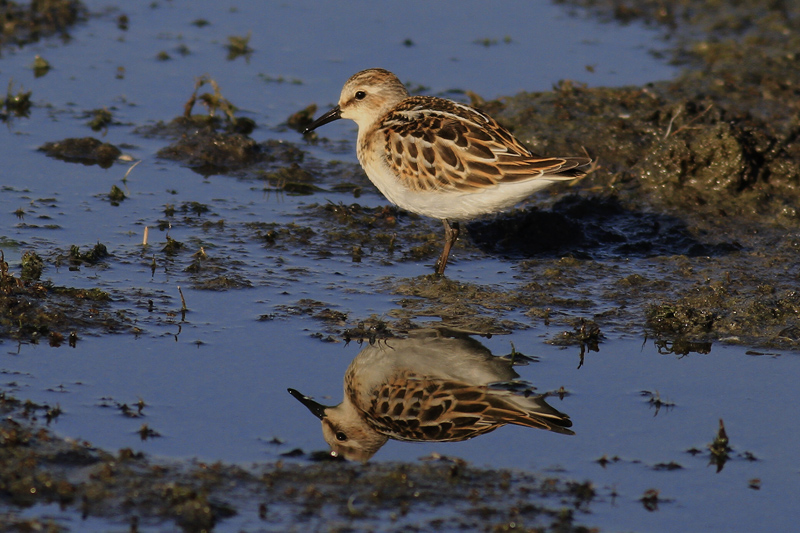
(130, 489)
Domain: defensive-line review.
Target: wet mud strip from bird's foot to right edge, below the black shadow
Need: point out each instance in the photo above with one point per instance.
(739, 296)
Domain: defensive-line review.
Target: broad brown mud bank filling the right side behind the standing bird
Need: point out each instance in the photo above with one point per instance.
(697, 183)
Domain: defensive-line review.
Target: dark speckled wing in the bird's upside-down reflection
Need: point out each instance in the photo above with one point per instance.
(419, 409)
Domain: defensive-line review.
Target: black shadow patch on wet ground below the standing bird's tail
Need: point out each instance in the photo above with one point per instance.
(591, 228)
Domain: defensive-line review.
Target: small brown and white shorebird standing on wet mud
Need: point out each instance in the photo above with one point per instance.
(440, 158)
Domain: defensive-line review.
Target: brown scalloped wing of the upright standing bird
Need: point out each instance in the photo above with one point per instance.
(436, 144)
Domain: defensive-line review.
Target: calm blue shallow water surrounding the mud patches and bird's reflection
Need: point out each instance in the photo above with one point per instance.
(214, 383)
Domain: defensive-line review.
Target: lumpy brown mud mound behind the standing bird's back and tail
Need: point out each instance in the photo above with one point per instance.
(663, 148)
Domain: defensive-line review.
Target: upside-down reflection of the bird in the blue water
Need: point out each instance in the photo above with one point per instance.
(437, 385)
